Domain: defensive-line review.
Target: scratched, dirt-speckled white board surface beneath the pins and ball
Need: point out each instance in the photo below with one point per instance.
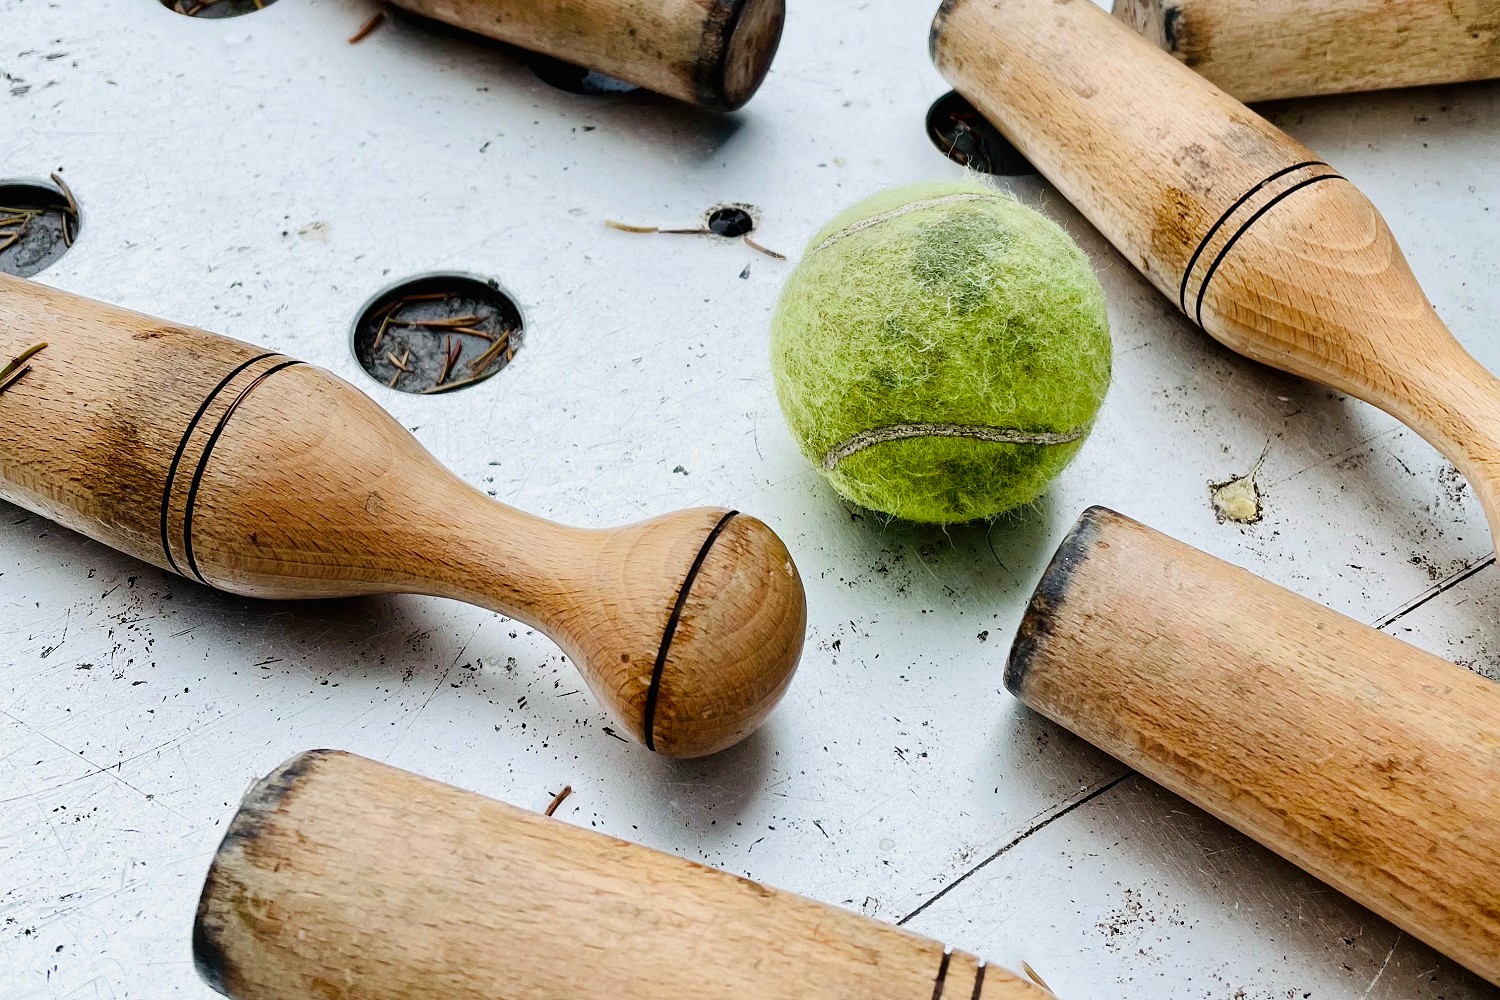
(262, 178)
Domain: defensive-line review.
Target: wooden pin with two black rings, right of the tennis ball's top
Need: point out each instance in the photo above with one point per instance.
(1256, 239)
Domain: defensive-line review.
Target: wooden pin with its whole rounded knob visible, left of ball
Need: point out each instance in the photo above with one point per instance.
(257, 475)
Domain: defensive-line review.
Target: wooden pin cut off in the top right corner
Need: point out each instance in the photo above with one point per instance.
(1261, 50)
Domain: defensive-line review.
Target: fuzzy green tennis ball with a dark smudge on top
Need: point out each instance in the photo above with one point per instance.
(941, 353)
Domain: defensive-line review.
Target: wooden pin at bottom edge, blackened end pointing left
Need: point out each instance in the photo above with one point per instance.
(343, 878)
